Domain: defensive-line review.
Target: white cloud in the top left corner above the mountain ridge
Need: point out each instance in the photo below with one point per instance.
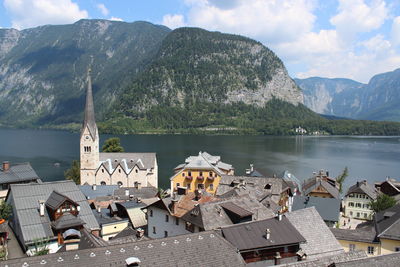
(31, 13)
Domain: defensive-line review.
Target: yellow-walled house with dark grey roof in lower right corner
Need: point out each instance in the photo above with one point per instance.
(378, 237)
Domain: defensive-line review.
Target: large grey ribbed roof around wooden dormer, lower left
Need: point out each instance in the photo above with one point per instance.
(25, 201)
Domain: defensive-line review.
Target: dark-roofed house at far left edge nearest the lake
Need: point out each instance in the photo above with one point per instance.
(15, 174)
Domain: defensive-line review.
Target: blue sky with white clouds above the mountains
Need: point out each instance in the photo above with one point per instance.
(353, 39)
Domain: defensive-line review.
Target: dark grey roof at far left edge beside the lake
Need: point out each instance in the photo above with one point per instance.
(18, 173)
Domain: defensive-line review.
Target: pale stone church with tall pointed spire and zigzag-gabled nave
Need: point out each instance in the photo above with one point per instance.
(123, 169)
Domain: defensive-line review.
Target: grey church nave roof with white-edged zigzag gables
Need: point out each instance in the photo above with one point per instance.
(127, 161)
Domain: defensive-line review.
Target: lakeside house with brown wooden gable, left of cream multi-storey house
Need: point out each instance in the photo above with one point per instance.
(321, 185)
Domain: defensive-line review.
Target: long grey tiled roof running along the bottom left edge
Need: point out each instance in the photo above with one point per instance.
(205, 249)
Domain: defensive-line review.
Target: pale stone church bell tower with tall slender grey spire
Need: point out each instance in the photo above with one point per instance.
(89, 143)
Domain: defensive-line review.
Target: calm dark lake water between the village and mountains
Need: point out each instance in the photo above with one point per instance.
(370, 158)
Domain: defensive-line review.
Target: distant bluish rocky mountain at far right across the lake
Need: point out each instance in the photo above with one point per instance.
(377, 100)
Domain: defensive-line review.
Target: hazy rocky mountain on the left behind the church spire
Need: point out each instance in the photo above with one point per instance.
(43, 70)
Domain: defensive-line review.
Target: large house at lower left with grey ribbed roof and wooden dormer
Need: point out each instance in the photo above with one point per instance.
(53, 211)
